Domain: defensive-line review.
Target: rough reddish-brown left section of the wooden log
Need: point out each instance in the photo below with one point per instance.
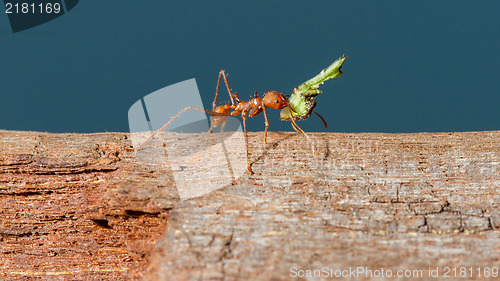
(76, 207)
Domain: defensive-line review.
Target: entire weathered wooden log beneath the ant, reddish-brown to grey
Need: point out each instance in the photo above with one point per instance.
(80, 207)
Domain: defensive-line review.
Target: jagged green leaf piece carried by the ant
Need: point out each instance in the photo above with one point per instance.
(303, 98)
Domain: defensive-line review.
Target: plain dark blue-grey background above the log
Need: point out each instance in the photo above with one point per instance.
(412, 67)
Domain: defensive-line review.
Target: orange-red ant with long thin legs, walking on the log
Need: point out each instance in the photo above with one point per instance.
(251, 108)
